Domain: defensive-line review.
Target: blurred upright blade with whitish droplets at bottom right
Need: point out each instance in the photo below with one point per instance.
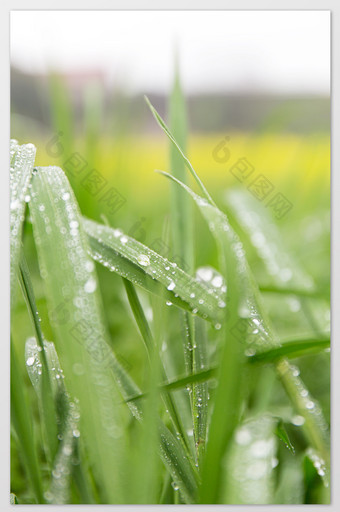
(249, 466)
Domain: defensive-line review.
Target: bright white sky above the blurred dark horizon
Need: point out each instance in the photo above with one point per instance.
(264, 51)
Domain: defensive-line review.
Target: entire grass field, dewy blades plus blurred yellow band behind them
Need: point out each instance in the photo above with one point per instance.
(229, 346)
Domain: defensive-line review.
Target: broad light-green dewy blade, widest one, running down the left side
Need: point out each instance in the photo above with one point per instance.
(80, 334)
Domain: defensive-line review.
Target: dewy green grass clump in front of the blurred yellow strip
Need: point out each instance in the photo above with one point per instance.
(212, 408)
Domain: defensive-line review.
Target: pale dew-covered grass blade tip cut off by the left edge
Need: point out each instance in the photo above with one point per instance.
(21, 166)
